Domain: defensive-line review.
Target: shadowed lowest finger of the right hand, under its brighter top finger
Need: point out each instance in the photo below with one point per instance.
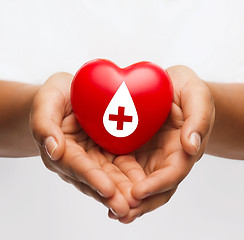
(149, 204)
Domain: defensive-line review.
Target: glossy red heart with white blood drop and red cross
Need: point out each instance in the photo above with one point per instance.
(121, 109)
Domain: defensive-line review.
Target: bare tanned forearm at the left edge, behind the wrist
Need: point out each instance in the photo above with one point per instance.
(15, 105)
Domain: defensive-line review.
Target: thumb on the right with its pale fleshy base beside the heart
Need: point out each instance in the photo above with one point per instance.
(197, 105)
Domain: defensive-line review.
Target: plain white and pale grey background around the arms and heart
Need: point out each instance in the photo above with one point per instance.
(38, 38)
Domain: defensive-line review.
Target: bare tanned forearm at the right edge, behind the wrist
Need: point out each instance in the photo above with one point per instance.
(227, 136)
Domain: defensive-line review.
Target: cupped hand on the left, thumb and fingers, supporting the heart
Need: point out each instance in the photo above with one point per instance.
(67, 150)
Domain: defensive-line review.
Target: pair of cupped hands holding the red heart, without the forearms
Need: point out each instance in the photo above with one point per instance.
(134, 184)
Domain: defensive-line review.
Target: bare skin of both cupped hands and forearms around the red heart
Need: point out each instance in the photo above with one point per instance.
(129, 185)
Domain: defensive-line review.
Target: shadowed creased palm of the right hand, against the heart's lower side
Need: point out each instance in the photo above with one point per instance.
(164, 149)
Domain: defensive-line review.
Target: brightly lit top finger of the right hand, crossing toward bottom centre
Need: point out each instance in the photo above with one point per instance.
(174, 170)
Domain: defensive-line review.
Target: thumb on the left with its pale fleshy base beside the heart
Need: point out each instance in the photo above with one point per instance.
(48, 110)
